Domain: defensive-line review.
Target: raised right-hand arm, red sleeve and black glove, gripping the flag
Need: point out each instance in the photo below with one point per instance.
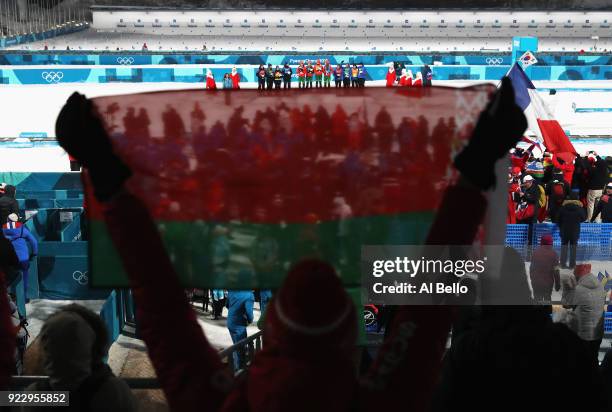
(406, 369)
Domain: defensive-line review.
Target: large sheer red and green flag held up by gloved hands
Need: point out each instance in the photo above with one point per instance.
(243, 183)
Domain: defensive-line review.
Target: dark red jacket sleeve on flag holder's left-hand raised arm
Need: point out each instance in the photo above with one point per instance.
(188, 368)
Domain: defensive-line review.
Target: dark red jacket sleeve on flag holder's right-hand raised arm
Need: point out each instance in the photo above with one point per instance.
(406, 369)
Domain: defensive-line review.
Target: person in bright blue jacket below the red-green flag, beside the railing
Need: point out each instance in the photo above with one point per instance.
(240, 314)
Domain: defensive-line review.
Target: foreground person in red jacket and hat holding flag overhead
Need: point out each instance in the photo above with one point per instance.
(306, 362)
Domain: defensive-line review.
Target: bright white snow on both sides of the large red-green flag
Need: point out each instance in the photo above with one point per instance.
(34, 108)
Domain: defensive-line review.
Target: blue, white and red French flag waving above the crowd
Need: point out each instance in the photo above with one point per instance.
(540, 120)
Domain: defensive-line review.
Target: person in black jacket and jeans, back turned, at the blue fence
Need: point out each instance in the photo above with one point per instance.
(570, 216)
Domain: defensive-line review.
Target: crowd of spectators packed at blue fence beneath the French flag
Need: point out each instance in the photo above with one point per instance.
(561, 189)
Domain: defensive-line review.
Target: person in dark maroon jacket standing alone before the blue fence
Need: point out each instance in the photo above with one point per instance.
(544, 271)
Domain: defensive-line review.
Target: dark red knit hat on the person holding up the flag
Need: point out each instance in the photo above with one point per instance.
(293, 322)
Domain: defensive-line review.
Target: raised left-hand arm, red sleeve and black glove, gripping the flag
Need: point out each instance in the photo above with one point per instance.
(188, 368)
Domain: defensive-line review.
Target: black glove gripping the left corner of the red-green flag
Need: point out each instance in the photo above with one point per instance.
(81, 133)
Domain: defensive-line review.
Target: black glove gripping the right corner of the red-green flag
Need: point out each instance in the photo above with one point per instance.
(500, 127)
